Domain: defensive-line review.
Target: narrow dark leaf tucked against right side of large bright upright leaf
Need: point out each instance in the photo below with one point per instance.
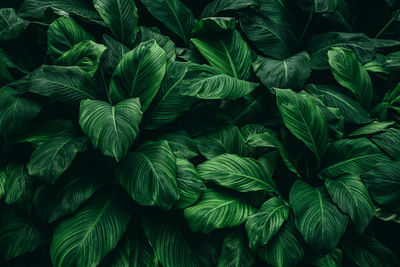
(168, 104)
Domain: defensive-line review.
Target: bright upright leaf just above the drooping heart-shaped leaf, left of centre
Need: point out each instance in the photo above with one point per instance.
(139, 74)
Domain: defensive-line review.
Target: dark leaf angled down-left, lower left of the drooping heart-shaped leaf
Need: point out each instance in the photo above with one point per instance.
(51, 159)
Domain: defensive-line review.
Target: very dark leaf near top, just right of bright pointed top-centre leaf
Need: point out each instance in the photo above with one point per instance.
(271, 39)
